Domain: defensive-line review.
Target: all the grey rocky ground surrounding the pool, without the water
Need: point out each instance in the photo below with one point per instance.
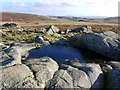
(19, 71)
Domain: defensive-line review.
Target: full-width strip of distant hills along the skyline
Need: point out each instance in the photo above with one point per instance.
(32, 18)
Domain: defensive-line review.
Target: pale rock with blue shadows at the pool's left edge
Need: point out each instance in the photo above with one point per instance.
(14, 53)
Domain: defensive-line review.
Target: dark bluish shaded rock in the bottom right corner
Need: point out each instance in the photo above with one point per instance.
(113, 78)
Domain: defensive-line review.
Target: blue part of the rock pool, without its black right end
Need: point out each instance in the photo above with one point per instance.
(61, 54)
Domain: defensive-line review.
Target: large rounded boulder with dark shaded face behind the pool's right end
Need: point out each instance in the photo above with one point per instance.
(106, 43)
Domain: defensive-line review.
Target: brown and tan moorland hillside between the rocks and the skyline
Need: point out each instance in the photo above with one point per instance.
(63, 23)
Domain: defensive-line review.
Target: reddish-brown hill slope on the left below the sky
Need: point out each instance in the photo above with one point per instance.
(22, 17)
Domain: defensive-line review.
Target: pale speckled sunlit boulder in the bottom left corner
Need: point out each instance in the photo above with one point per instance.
(18, 76)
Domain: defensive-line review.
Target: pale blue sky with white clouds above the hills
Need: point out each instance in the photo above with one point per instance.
(62, 7)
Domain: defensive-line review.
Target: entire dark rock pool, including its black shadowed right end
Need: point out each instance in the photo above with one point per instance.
(64, 54)
